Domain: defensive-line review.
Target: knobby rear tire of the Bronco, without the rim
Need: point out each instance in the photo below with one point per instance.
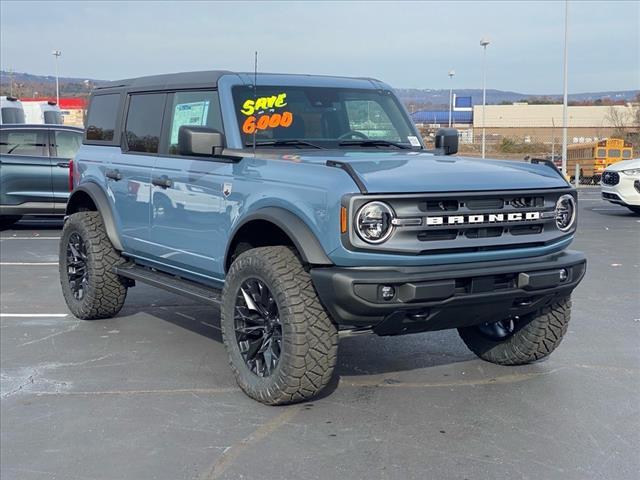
(106, 292)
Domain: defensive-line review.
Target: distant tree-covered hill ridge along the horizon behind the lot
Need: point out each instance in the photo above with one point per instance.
(25, 84)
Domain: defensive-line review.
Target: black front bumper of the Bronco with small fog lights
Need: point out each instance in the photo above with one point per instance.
(445, 296)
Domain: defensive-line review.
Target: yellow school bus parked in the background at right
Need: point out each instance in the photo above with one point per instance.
(594, 157)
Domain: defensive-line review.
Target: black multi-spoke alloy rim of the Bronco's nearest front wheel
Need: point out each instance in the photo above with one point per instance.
(258, 327)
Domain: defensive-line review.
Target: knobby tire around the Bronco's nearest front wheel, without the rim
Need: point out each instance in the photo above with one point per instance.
(309, 338)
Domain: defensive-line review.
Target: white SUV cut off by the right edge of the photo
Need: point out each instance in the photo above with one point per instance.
(621, 184)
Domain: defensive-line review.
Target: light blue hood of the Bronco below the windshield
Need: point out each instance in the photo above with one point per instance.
(414, 172)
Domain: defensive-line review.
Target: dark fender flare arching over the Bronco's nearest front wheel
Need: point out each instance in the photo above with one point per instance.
(297, 230)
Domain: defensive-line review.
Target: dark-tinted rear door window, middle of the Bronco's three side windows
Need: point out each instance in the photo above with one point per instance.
(144, 122)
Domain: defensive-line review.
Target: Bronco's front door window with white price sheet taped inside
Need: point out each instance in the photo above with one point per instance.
(199, 108)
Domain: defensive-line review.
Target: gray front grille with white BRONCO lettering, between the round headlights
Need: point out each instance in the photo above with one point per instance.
(465, 222)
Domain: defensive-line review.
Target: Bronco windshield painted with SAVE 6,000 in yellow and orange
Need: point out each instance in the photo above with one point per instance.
(322, 117)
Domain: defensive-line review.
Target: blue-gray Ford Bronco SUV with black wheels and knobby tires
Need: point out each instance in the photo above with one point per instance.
(305, 205)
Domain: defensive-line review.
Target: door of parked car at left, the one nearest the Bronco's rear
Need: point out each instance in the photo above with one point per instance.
(64, 146)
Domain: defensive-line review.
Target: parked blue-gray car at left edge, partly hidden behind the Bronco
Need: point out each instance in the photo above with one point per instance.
(34, 169)
